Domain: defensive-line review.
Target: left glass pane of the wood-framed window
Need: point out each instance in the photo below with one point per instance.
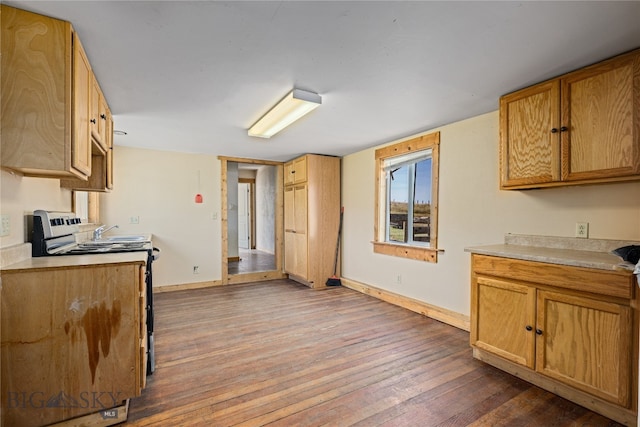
(398, 203)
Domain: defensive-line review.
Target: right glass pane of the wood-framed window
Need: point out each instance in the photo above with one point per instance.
(422, 202)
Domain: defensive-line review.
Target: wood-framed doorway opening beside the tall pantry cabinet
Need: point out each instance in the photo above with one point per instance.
(252, 220)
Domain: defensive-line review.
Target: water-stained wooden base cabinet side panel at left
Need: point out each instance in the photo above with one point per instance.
(73, 340)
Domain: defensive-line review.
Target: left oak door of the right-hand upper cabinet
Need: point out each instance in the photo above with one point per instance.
(529, 135)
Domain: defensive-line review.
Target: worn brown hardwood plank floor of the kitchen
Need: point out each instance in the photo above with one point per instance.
(280, 354)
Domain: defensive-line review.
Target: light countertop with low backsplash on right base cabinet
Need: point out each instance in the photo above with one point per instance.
(588, 253)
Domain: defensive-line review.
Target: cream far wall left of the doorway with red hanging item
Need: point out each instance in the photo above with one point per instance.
(160, 188)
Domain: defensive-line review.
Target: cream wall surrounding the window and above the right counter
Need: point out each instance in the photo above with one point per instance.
(473, 211)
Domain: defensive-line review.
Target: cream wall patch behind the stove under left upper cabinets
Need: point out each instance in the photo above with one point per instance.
(20, 196)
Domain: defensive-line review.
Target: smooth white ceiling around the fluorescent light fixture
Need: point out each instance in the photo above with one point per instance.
(192, 76)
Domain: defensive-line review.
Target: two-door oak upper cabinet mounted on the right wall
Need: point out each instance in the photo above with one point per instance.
(580, 128)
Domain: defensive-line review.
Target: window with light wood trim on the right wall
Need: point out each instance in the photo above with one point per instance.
(407, 198)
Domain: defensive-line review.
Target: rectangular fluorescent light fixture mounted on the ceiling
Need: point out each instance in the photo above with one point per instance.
(292, 107)
